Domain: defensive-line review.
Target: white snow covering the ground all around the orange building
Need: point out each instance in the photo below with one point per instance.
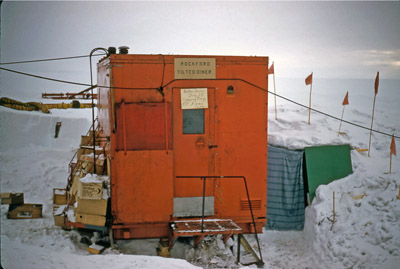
(366, 232)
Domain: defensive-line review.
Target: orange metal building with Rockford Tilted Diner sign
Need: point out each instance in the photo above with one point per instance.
(174, 116)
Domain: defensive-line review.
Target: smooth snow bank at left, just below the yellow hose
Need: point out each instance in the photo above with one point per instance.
(22, 129)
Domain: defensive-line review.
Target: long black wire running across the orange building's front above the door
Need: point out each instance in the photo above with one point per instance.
(174, 80)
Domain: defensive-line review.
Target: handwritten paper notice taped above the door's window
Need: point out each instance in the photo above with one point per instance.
(194, 98)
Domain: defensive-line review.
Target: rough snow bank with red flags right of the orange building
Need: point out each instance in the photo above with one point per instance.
(366, 232)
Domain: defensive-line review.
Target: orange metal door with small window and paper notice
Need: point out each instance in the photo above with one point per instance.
(194, 149)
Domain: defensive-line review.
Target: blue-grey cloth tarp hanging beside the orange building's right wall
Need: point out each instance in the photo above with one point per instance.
(285, 191)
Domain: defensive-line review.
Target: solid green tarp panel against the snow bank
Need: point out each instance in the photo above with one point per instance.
(325, 164)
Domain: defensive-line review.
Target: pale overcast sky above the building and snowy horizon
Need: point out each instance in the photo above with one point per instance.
(331, 39)
